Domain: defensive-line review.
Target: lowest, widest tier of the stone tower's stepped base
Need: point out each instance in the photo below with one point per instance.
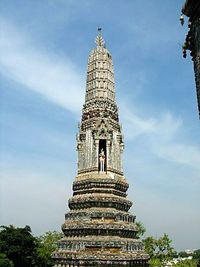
(93, 253)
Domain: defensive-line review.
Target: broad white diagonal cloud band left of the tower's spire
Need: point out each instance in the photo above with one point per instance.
(55, 79)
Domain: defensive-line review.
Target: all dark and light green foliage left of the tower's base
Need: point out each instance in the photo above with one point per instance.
(18, 248)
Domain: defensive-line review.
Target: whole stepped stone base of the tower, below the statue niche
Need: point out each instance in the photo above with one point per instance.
(99, 231)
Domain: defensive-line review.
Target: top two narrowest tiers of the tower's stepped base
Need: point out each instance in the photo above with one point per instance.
(100, 191)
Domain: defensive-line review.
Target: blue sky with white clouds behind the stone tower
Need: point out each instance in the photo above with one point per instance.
(43, 59)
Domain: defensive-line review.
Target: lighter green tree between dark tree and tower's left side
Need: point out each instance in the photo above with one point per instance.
(46, 245)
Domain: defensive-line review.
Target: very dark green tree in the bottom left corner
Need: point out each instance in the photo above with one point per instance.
(18, 245)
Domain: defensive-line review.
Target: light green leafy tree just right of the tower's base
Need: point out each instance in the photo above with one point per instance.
(159, 250)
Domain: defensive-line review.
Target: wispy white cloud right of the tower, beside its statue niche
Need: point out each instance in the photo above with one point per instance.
(161, 136)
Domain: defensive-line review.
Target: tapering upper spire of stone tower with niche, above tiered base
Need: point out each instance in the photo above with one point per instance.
(100, 123)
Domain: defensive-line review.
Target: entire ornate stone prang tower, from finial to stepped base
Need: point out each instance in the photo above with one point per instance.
(98, 229)
